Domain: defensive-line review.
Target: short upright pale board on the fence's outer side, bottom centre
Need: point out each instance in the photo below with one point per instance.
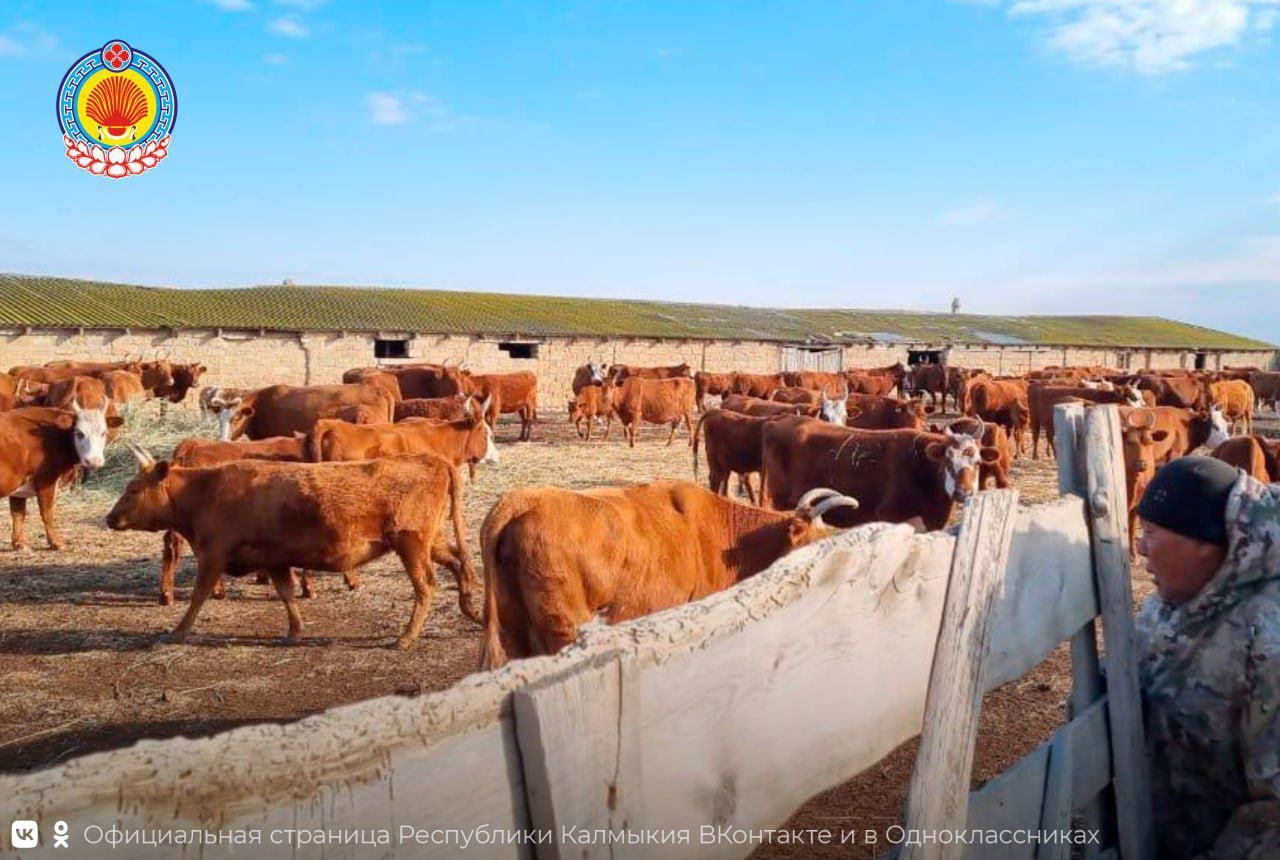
(580, 747)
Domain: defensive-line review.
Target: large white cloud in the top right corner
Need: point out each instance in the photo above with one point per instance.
(1146, 36)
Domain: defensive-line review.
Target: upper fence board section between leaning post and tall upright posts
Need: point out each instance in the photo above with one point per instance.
(1049, 589)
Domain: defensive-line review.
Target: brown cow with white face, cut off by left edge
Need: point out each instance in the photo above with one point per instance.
(39, 449)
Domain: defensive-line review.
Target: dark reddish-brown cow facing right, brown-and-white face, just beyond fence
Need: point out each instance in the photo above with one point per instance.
(897, 474)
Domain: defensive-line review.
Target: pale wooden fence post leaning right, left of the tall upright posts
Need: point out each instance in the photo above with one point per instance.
(939, 795)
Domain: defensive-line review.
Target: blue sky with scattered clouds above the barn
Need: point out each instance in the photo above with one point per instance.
(1028, 155)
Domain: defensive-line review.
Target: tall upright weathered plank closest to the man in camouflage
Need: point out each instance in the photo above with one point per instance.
(1107, 498)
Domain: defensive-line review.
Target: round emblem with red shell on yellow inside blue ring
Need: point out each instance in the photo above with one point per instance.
(117, 108)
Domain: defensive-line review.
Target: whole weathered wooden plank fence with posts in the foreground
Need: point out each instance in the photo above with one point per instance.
(711, 721)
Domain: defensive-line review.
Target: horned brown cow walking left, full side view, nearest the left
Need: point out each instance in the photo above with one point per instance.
(248, 516)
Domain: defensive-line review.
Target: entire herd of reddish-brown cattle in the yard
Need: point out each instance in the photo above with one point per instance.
(328, 478)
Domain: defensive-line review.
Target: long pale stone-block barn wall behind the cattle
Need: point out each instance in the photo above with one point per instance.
(257, 359)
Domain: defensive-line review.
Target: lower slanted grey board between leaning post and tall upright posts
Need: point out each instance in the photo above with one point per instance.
(1017, 798)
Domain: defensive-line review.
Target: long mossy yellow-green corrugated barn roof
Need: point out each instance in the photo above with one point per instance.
(65, 303)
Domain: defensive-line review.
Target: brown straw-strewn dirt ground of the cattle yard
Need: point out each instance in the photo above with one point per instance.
(85, 674)
